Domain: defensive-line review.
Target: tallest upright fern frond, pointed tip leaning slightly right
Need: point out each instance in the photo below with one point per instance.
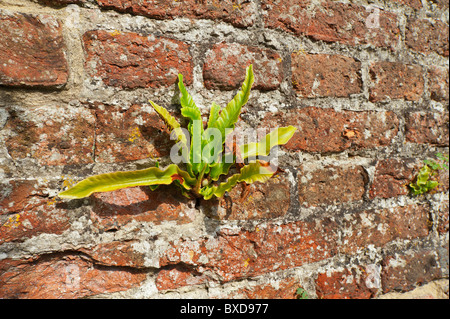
(230, 114)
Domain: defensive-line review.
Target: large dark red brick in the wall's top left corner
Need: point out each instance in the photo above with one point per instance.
(31, 51)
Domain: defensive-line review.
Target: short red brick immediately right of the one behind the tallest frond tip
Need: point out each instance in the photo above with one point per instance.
(317, 75)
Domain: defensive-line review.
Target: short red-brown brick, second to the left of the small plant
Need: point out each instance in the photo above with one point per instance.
(340, 184)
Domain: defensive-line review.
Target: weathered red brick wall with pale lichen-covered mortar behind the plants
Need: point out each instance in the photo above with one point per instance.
(365, 82)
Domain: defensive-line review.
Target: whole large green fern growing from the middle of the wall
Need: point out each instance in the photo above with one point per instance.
(202, 151)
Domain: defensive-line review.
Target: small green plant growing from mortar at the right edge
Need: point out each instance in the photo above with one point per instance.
(424, 181)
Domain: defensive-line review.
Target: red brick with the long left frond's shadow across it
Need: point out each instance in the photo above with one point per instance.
(113, 210)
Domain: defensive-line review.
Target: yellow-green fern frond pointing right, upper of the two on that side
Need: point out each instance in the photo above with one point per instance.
(279, 136)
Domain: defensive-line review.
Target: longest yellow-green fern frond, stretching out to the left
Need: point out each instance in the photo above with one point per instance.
(112, 181)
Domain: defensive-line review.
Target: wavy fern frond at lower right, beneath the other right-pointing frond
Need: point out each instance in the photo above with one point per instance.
(253, 172)
